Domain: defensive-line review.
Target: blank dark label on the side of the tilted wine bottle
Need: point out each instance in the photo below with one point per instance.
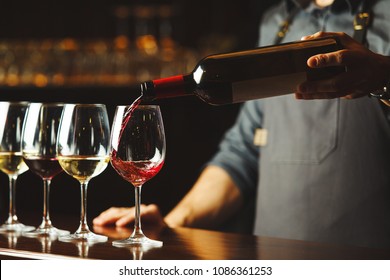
(266, 87)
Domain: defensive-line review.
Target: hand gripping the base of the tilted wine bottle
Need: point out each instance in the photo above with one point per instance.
(366, 71)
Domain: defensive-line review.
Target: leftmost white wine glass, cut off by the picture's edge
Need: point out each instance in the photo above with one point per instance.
(12, 115)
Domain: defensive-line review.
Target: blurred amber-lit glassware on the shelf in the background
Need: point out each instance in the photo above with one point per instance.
(142, 48)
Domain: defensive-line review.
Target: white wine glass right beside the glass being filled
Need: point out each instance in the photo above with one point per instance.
(83, 152)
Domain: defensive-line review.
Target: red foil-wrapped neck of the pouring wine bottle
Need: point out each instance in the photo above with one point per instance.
(174, 86)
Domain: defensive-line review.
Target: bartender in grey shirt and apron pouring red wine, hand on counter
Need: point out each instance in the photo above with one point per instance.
(319, 170)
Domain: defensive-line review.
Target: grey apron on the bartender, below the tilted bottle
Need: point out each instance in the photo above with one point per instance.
(325, 172)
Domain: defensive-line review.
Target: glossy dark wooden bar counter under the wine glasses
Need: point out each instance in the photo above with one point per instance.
(182, 244)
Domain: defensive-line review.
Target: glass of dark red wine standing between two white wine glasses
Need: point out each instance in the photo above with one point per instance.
(39, 140)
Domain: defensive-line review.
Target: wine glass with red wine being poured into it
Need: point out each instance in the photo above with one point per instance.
(138, 154)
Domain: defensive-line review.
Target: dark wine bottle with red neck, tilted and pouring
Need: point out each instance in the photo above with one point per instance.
(246, 75)
